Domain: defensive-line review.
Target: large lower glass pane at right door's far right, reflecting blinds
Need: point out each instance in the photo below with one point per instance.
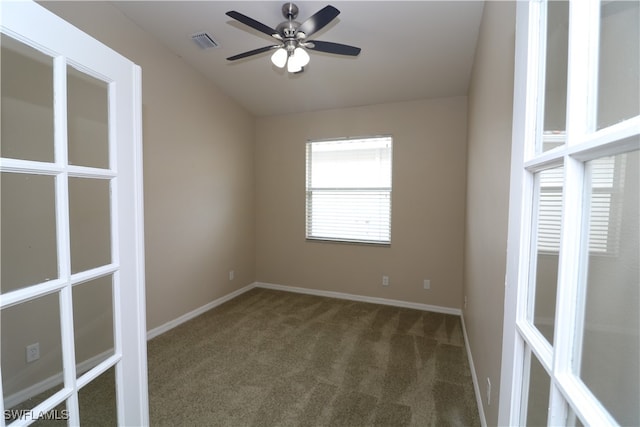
(610, 349)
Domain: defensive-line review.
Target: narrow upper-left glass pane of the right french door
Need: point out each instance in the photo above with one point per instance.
(555, 93)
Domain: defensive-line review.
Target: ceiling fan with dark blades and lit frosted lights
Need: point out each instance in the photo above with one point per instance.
(293, 38)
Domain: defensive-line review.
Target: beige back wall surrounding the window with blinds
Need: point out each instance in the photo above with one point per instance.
(429, 178)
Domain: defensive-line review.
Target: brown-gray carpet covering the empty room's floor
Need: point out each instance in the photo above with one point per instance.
(270, 358)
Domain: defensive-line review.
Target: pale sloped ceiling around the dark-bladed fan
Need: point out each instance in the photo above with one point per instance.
(410, 50)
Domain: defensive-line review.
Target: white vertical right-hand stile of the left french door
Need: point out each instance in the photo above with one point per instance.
(132, 400)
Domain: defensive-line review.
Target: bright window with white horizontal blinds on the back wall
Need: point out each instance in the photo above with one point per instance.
(348, 190)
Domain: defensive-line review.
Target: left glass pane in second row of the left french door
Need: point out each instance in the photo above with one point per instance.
(28, 230)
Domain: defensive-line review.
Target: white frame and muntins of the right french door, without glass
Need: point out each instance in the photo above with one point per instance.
(584, 142)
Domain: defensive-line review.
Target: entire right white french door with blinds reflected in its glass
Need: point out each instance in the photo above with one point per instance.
(571, 333)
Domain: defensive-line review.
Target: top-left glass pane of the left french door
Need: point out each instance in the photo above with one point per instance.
(27, 102)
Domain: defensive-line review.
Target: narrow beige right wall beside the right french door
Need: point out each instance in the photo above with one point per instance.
(489, 140)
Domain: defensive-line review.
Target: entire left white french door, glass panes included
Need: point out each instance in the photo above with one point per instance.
(72, 286)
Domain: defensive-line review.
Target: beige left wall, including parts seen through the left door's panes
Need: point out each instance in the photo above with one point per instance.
(199, 202)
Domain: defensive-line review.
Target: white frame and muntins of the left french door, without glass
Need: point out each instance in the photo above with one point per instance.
(33, 25)
